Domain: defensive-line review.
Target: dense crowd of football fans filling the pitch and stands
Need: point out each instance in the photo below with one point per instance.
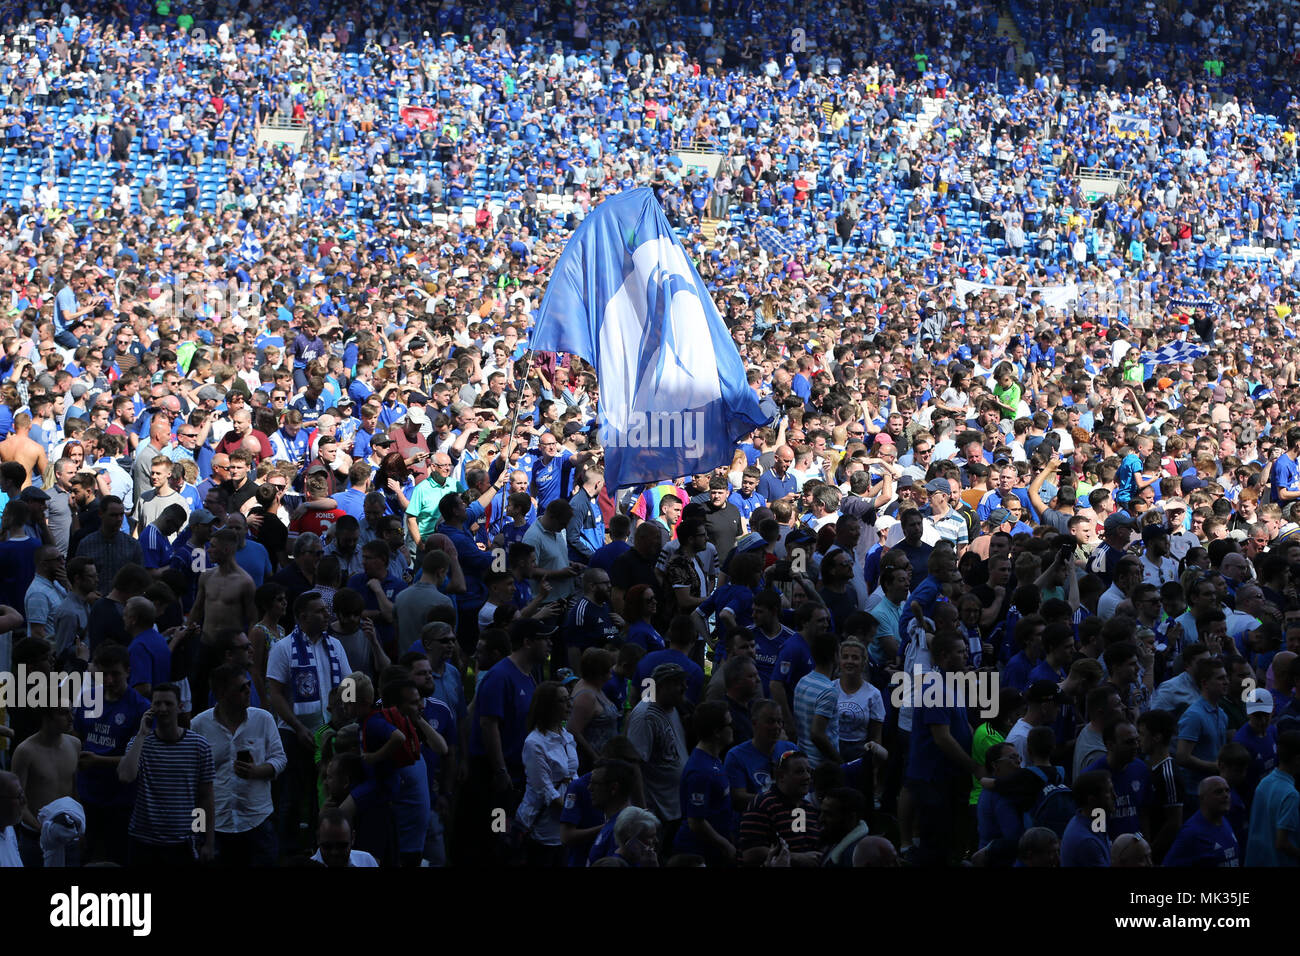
(283, 474)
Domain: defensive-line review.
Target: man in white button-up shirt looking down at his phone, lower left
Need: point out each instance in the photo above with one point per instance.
(248, 756)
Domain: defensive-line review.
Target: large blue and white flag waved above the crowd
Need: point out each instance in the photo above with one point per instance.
(626, 299)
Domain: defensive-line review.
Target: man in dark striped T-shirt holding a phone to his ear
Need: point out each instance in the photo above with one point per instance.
(175, 798)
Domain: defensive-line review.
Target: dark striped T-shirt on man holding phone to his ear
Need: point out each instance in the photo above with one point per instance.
(168, 789)
